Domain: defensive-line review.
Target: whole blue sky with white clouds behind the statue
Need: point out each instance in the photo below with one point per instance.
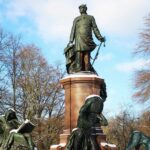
(47, 24)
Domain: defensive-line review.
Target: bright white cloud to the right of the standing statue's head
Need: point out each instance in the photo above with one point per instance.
(124, 17)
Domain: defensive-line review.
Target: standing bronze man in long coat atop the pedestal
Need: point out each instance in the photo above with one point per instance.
(81, 33)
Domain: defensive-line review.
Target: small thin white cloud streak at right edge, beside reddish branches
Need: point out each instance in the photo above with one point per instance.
(132, 66)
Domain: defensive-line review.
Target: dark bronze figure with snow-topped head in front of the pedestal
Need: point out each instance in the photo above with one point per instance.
(90, 118)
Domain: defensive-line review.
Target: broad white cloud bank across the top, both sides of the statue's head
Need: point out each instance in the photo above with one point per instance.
(53, 19)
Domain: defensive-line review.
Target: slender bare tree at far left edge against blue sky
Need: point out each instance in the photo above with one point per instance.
(9, 48)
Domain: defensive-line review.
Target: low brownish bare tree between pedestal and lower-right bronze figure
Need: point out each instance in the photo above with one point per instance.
(120, 128)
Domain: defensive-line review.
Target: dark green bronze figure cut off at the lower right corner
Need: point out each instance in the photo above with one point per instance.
(137, 139)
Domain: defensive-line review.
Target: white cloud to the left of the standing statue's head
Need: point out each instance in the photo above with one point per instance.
(51, 18)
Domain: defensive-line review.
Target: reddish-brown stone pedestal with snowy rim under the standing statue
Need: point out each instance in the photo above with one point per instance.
(77, 87)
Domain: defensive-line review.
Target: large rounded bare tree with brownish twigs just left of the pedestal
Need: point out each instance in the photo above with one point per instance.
(39, 84)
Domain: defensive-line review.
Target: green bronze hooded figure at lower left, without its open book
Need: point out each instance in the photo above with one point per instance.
(12, 140)
